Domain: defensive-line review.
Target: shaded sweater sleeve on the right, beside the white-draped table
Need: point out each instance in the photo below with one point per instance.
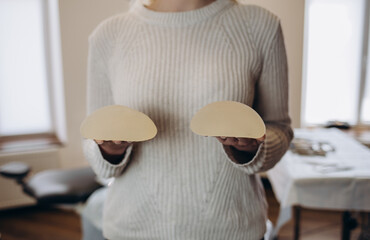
(271, 102)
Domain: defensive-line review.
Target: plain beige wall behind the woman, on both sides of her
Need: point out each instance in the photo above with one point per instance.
(78, 19)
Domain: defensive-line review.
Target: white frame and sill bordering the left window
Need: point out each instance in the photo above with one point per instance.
(56, 137)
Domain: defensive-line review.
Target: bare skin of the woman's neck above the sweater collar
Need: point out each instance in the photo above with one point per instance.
(177, 5)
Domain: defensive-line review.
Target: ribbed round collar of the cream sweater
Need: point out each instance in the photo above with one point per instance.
(179, 18)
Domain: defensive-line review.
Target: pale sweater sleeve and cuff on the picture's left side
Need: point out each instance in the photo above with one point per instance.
(99, 94)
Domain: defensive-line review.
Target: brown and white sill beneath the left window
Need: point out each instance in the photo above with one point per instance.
(29, 143)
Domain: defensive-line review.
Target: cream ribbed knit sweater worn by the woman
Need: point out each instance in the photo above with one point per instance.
(169, 65)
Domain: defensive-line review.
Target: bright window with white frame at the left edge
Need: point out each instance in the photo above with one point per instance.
(30, 70)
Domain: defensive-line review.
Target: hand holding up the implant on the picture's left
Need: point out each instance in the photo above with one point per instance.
(113, 151)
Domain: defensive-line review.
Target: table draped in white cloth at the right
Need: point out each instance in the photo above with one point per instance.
(338, 181)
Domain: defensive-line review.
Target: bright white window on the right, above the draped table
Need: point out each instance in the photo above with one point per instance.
(336, 33)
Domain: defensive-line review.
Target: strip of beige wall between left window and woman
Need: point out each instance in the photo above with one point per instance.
(77, 20)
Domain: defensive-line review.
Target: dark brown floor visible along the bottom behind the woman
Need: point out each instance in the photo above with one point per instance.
(34, 223)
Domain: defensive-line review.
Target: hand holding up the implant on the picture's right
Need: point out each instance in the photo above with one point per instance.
(242, 144)
